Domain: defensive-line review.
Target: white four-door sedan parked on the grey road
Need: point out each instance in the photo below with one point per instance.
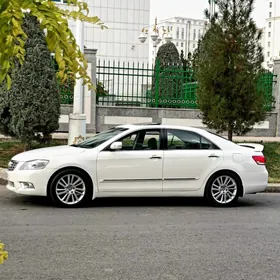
(142, 160)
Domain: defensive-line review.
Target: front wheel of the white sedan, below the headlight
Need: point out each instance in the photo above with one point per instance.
(83, 189)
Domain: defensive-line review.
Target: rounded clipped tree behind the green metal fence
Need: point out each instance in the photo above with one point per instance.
(168, 77)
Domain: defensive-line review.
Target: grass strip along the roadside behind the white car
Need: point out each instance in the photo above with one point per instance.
(271, 151)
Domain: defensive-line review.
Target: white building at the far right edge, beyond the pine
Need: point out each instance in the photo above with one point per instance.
(272, 31)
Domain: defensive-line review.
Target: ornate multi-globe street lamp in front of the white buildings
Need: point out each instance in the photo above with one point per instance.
(156, 37)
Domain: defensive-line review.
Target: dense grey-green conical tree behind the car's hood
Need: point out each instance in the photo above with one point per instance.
(30, 109)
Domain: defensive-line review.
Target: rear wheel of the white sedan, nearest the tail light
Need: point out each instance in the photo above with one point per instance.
(232, 193)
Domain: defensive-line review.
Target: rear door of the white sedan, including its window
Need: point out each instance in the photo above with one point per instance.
(188, 159)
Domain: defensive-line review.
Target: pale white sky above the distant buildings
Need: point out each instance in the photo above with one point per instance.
(194, 9)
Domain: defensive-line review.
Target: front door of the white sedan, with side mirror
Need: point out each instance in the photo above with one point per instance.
(137, 167)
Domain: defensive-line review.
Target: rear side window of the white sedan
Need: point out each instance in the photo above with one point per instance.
(187, 140)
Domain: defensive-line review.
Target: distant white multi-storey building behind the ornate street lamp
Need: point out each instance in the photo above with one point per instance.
(185, 32)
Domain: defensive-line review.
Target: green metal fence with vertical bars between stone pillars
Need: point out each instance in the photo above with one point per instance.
(159, 86)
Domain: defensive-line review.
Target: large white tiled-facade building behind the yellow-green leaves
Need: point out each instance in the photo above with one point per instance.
(125, 20)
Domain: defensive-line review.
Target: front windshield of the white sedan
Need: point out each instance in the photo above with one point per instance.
(100, 138)
